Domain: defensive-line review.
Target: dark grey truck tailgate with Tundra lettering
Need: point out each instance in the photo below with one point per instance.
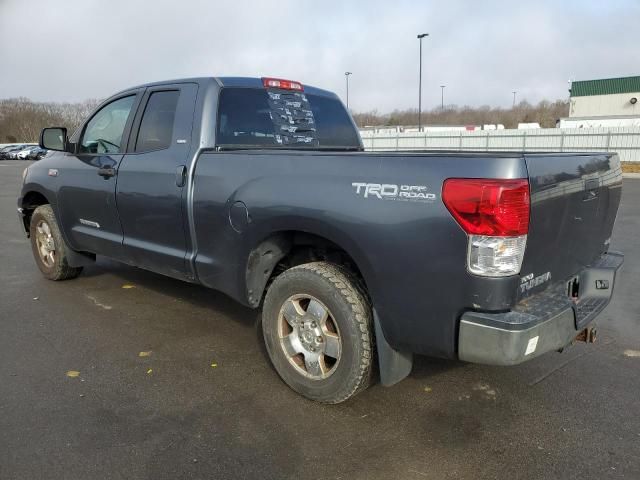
(574, 200)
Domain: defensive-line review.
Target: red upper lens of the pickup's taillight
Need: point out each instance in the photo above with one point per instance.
(489, 207)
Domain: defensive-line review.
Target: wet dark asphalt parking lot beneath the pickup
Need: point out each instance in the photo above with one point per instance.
(123, 373)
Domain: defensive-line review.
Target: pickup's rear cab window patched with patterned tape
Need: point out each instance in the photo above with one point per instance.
(252, 117)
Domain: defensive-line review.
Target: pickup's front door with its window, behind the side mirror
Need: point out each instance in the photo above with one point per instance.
(86, 199)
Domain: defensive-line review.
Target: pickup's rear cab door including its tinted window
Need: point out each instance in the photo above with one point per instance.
(151, 180)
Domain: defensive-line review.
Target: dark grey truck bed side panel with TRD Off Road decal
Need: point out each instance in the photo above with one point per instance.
(410, 251)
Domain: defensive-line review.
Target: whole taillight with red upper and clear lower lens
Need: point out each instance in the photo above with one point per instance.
(495, 215)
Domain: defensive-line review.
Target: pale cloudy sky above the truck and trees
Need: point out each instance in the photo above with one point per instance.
(482, 51)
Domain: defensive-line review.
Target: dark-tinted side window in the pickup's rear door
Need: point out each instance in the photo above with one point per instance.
(156, 127)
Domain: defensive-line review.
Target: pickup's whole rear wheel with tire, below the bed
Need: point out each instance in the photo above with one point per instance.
(316, 323)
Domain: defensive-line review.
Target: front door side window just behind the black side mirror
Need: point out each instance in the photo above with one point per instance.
(103, 133)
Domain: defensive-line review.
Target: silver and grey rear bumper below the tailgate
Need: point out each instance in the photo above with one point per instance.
(541, 323)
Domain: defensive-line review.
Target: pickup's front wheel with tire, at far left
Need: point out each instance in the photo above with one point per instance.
(48, 247)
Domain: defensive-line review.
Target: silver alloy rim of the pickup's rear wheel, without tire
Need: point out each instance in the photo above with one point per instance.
(309, 336)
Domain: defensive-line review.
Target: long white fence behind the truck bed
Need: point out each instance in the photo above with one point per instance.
(625, 141)
